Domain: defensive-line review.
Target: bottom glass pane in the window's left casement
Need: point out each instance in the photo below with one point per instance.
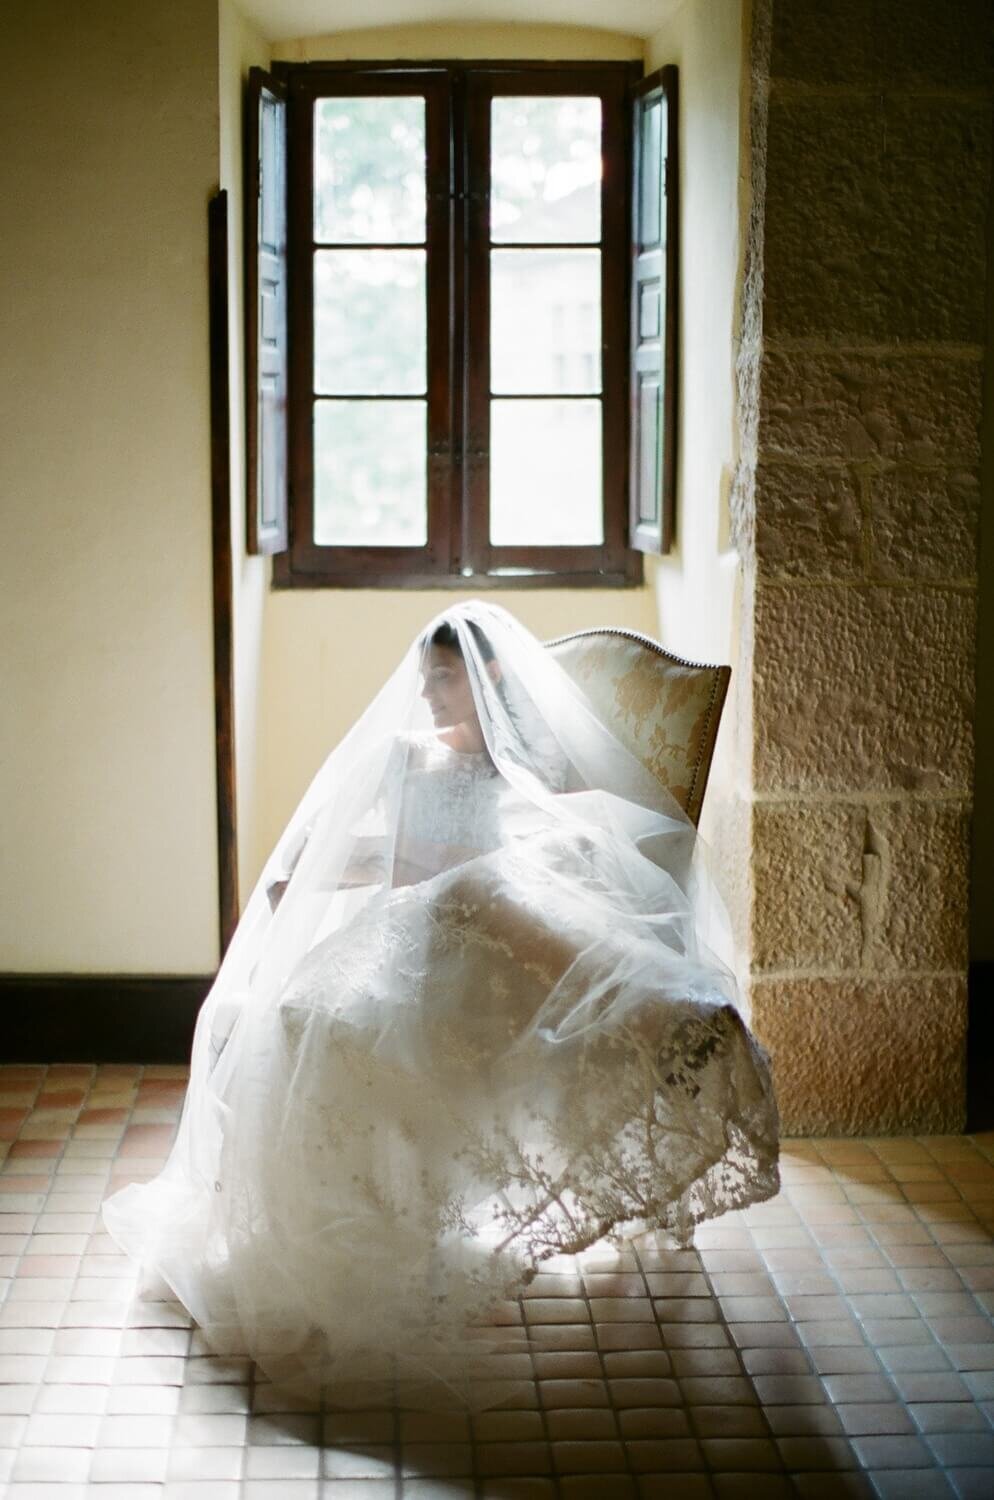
(370, 481)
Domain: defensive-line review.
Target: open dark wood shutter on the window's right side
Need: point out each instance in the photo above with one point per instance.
(654, 313)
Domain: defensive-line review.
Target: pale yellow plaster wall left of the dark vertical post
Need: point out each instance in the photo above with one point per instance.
(107, 743)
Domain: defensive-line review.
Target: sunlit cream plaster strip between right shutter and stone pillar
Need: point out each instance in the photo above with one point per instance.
(699, 586)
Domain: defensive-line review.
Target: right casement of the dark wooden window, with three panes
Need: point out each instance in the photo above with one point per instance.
(546, 368)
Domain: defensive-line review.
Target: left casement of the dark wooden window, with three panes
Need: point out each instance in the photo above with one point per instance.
(373, 373)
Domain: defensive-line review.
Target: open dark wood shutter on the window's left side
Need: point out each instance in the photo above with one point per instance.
(268, 346)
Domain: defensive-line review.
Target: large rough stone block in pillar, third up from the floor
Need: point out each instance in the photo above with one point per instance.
(863, 689)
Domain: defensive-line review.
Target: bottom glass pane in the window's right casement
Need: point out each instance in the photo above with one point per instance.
(546, 473)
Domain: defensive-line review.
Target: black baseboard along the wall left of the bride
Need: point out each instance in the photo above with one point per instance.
(91, 1018)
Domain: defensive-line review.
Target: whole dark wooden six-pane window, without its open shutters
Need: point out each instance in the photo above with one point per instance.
(461, 245)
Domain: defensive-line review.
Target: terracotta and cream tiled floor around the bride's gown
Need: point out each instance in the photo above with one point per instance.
(837, 1342)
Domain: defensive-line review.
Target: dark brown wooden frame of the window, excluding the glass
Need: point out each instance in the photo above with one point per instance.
(458, 112)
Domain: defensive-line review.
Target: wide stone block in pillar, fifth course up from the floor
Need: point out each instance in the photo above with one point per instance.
(911, 409)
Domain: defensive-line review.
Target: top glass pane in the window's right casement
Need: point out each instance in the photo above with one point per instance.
(545, 170)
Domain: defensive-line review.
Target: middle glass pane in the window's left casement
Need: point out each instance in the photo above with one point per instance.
(370, 323)
